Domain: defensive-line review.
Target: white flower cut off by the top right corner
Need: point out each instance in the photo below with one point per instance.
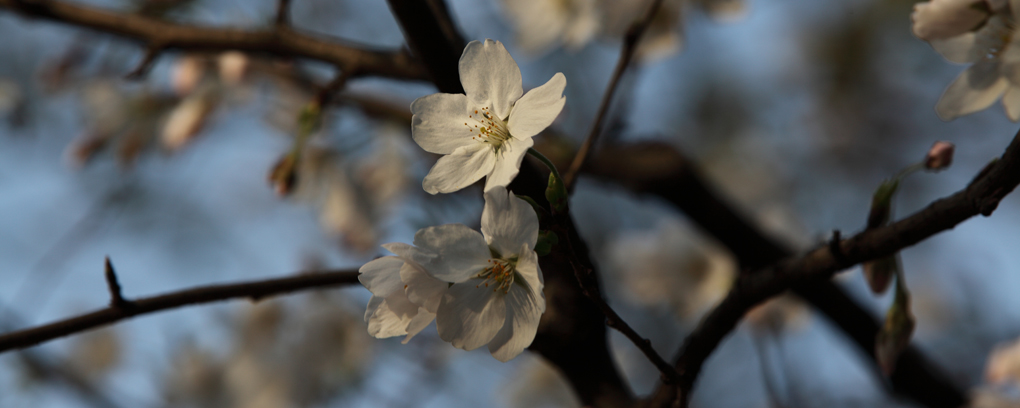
(995, 73)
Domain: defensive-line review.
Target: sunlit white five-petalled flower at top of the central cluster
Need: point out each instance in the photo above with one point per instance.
(487, 132)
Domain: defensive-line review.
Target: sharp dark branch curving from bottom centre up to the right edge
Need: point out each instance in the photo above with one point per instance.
(981, 197)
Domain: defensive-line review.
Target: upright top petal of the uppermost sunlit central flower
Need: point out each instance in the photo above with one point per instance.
(491, 77)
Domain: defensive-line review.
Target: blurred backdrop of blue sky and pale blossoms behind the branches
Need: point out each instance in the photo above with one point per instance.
(796, 111)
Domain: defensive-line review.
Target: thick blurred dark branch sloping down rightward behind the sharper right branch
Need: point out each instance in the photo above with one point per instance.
(660, 170)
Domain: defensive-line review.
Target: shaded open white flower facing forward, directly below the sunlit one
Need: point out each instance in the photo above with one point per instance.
(496, 297)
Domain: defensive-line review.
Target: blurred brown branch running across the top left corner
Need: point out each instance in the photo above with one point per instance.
(280, 40)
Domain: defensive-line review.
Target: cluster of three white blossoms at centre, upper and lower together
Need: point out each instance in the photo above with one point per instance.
(480, 288)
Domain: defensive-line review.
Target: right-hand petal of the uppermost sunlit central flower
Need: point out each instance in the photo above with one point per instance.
(537, 110)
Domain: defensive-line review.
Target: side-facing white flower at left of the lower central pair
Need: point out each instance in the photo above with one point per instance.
(404, 298)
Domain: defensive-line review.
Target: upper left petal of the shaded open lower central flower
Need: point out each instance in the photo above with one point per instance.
(463, 251)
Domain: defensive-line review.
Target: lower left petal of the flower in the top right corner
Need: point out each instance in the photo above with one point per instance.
(976, 89)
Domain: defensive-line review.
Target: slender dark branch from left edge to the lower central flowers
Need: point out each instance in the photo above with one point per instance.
(252, 290)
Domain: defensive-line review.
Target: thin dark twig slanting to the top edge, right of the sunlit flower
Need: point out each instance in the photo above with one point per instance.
(631, 40)
